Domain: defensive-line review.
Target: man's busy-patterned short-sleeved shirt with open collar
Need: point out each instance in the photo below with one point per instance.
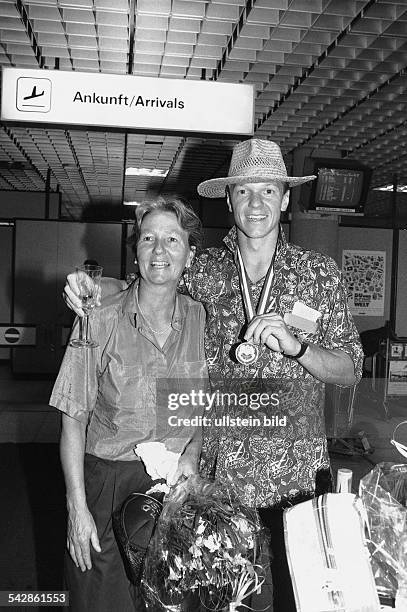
(270, 464)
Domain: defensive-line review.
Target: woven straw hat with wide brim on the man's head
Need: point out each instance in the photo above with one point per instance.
(253, 161)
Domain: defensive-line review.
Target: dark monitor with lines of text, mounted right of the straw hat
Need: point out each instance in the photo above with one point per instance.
(338, 187)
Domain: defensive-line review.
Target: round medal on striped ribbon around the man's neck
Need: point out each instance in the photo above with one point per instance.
(247, 353)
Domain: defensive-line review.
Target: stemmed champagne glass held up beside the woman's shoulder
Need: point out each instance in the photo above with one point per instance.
(88, 278)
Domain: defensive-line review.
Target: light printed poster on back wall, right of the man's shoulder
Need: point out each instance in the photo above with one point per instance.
(365, 275)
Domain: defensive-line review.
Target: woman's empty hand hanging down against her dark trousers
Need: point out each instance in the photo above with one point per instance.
(81, 533)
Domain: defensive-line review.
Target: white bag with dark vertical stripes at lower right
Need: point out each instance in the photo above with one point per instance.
(328, 555)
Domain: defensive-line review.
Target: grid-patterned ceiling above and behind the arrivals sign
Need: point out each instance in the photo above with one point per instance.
(328, 74)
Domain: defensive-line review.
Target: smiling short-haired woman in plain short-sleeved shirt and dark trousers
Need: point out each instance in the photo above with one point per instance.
(149, 336)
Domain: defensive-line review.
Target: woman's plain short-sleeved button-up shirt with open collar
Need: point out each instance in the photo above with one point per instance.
(121, 388)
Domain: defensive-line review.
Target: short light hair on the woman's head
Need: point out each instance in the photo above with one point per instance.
(187, 219)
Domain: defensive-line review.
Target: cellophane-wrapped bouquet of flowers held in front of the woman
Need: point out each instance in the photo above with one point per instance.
(207, 545)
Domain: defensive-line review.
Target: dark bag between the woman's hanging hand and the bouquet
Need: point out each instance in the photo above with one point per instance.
(133, 524)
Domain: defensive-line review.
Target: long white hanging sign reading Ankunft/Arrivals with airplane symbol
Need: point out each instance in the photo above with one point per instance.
(93, 99)
